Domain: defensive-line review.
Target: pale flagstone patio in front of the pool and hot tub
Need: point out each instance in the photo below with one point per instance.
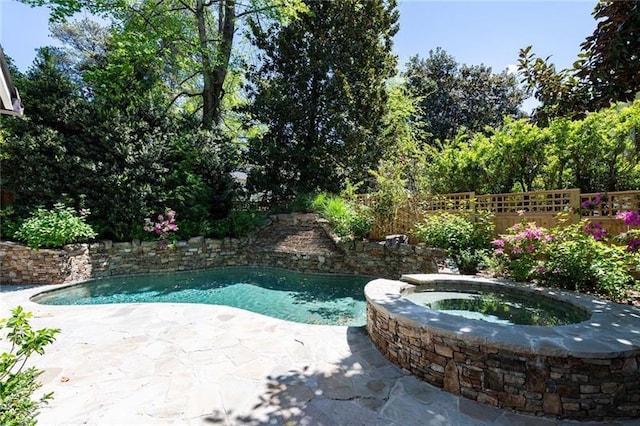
(179, 364)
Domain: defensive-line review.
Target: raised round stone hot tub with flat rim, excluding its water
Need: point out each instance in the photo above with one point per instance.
(582, 370)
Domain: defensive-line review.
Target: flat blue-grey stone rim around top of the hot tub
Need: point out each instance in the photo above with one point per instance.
(611, 331)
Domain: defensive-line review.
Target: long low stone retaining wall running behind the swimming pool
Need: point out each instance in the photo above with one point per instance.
(21, 265)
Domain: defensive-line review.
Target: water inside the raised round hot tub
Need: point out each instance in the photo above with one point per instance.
(500, 307)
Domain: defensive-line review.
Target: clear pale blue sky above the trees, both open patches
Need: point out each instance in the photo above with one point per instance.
(474, 32)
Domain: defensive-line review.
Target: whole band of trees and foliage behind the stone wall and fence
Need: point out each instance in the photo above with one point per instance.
(156, 107)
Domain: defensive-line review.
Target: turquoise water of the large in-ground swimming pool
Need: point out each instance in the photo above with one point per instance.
(292, 296)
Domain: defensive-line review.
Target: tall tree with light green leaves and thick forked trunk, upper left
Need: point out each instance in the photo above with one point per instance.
(185, 44)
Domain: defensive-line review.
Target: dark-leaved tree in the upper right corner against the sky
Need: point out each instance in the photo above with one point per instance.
(607, 69)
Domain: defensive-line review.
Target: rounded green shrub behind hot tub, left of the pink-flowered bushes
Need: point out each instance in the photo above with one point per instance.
(465, 237)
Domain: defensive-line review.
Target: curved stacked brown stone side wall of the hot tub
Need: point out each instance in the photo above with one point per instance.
(560, 386)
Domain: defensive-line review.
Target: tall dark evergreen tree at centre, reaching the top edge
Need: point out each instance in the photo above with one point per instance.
(320, 90)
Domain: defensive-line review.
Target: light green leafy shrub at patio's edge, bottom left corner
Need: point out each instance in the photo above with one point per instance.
(17, 383)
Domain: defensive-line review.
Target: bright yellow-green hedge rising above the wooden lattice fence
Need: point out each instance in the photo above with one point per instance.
(596, 154)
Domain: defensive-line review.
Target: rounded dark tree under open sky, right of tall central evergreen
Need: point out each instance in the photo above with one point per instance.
(454, 96)
